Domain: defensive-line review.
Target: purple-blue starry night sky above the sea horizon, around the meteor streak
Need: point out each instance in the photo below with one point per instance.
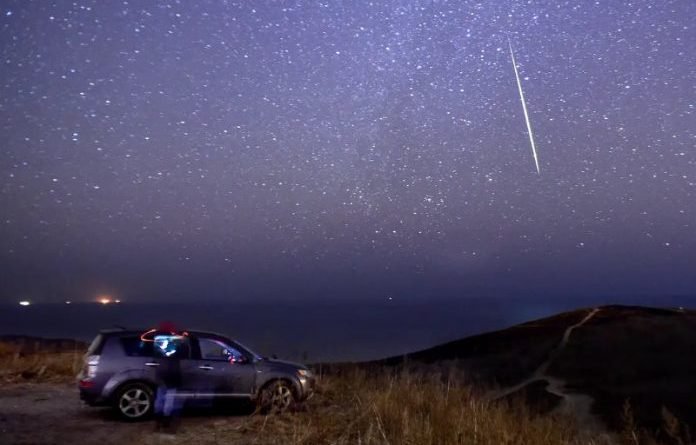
(346, 149)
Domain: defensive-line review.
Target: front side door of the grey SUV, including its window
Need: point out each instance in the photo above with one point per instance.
(220, 370)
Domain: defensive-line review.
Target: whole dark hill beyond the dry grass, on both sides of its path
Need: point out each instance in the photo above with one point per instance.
(638, 364)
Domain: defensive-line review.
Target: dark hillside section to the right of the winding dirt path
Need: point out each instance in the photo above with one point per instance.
(645, 356)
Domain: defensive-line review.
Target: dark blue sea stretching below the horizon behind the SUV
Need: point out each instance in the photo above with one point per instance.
(312, 331)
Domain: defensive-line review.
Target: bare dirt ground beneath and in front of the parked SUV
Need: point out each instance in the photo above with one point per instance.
(50, 413)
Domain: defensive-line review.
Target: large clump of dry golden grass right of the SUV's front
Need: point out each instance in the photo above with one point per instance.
(382, 408)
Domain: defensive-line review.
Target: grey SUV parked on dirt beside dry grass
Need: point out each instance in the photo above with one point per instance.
(120, 369)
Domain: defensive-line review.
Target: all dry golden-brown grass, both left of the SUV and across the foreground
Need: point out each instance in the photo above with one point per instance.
(379, 407)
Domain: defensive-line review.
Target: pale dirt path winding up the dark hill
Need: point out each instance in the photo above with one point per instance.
(573, 403)
